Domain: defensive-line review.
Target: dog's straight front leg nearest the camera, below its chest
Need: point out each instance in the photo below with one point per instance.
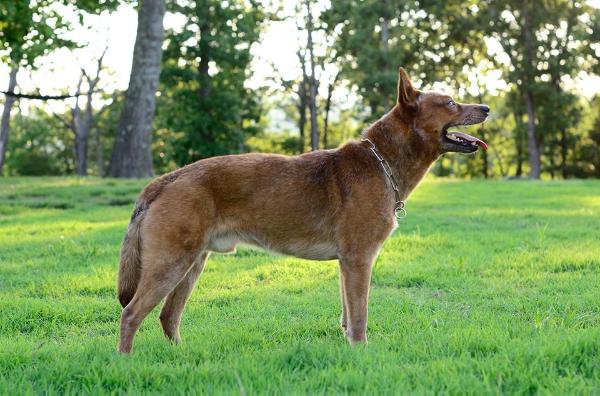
(355, 276)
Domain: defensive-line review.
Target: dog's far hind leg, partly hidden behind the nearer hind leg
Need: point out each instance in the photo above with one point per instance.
(170, 316)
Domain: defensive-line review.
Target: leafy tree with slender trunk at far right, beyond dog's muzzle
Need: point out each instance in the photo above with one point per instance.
(543, 41)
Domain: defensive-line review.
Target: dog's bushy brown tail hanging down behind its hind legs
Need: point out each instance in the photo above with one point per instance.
(130, 267)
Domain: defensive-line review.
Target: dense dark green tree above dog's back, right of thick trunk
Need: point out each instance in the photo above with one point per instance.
(204, 98)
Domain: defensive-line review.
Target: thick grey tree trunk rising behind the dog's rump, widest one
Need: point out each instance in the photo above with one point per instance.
(132, 151)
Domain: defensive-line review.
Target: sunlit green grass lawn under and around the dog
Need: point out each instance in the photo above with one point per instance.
(485, 288)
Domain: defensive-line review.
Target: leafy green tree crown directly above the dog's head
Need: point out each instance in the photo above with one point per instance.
(374, 37)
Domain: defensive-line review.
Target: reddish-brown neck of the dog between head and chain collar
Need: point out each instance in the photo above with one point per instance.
(404, 147)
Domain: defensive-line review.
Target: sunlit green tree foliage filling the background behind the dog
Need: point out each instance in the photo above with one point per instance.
(206, 108)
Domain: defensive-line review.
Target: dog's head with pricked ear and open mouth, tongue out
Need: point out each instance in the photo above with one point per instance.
(431, 114)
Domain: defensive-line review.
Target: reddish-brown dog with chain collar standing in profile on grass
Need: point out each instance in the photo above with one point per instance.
(328, 204)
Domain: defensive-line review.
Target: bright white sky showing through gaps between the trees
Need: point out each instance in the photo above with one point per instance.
(60, 71)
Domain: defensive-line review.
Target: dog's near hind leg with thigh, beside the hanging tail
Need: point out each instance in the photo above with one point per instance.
(173, 233)
